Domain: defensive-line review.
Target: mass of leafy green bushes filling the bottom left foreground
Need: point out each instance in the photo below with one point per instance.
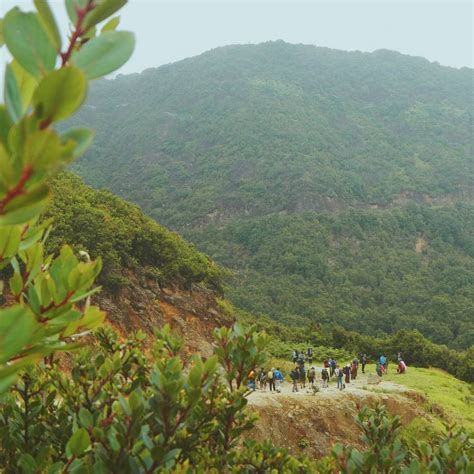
(117, 412)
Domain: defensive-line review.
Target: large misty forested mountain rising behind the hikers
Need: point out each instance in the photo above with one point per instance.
(338, 186)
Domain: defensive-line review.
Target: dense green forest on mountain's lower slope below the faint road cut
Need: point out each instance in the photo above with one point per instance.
(360, 269)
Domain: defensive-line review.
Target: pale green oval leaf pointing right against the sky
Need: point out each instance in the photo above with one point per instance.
(105, 53)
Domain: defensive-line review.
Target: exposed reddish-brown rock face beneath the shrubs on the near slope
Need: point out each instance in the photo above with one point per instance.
(144, 305)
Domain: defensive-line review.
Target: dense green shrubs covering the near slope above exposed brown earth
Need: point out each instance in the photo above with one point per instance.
(105, 225)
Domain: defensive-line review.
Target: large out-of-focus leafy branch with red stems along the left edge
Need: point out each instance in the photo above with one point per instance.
(48, 304)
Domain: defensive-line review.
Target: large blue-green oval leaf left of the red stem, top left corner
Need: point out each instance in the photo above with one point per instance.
(28, 43)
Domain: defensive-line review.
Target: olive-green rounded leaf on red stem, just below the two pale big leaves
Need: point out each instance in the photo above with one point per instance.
(60, 94)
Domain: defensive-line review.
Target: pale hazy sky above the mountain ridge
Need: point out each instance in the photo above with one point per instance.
(171, 30)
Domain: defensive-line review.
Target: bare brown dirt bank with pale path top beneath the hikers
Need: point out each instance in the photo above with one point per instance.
(308, 423)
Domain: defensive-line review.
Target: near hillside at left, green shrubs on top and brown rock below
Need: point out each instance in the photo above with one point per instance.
(150, 276)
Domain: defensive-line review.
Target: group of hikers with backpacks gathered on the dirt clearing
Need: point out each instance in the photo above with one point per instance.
(300, 376)
